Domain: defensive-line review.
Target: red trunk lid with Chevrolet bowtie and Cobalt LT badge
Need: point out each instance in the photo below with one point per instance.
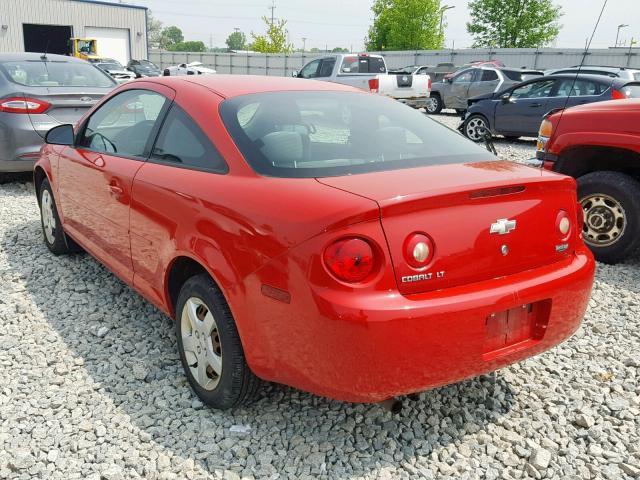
(456, 206)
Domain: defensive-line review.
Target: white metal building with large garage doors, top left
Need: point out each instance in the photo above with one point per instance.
(36, 25)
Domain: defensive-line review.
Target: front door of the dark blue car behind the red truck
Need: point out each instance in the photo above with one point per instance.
(521, 112)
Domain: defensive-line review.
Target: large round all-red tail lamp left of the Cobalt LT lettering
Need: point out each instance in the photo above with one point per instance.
(351, 259)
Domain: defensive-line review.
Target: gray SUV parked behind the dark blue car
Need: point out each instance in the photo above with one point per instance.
(473, 81)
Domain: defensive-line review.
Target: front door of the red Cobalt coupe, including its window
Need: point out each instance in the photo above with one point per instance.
(97, 173)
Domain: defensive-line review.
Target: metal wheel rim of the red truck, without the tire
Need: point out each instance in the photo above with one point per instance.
(604, 220)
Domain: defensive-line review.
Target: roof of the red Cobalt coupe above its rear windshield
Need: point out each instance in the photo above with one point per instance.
(235, 85)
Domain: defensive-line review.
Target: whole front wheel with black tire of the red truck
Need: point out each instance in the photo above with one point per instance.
(611, 205)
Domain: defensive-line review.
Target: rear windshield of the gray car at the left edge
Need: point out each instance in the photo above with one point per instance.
(38, 73)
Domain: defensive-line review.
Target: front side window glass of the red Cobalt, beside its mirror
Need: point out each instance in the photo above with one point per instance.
(124, 124)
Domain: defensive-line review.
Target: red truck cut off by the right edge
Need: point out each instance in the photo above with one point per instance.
(599, 145)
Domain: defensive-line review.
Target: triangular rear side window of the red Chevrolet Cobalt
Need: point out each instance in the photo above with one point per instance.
(182, 143)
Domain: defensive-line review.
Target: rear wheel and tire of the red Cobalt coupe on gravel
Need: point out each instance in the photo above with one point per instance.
(206, 330)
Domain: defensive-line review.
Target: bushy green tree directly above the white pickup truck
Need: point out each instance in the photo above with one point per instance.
(405, 25)
